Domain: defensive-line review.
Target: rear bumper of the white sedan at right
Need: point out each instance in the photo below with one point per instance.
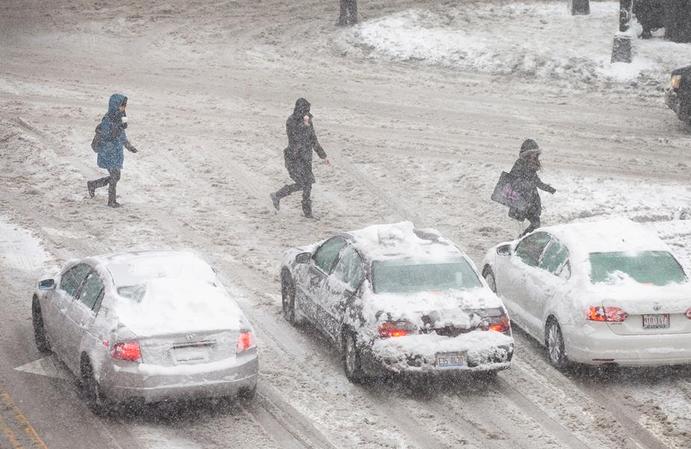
(596, 344)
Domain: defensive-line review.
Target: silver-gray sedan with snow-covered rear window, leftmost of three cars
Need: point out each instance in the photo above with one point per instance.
(146, 326)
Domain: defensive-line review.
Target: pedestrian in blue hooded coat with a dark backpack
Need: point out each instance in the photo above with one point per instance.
(111, 138)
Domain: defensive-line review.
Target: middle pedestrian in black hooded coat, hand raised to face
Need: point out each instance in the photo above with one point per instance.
(302, 140)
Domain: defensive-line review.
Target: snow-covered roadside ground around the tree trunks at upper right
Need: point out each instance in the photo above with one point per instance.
(535, 40)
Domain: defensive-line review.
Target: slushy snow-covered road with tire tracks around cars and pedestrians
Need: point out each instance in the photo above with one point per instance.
(210, 86)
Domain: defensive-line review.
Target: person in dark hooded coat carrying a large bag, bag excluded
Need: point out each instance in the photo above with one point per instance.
(526, 181)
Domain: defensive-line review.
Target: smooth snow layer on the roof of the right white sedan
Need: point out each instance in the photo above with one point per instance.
(612, 235)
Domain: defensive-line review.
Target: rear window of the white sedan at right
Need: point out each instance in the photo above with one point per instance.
(646, 267)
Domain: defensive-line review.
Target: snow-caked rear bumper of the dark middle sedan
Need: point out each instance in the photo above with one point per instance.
(482, 351)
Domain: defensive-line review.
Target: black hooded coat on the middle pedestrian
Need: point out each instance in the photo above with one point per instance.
(302, 140)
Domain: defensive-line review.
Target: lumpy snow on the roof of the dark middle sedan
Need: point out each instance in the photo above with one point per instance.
(403, 240)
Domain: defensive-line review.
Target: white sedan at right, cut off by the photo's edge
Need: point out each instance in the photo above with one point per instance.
(602, 293)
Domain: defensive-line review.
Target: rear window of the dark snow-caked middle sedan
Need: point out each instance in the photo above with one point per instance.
(405, 276)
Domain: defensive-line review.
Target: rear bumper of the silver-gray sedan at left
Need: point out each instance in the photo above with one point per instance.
(152, 383)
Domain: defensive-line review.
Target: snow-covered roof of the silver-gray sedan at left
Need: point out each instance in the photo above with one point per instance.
(132, 268)
